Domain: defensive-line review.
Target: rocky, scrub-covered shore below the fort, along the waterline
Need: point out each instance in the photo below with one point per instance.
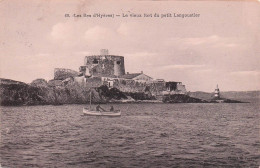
(41, 92)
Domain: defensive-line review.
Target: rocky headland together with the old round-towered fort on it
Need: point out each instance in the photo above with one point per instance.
(104, 76)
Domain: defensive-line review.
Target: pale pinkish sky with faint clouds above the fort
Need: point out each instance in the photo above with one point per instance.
(219, 47)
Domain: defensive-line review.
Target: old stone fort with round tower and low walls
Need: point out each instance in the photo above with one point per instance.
(106, 69)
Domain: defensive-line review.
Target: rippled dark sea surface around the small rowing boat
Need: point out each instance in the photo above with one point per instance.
(146, 135)
